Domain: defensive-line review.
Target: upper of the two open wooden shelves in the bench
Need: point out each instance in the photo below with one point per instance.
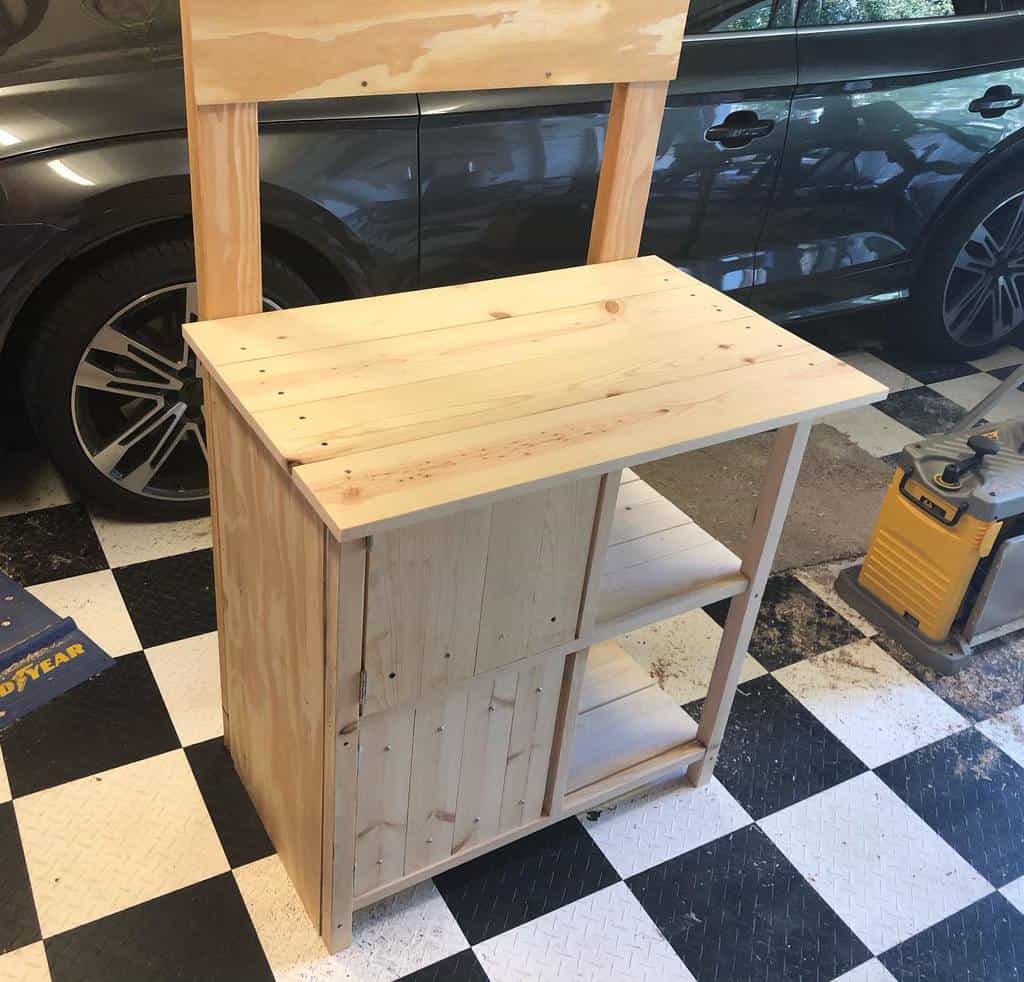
(660, 564)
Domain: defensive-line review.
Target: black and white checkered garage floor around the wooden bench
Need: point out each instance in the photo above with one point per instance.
(867, 823)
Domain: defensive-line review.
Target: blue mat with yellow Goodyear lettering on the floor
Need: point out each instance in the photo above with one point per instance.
(41, 654)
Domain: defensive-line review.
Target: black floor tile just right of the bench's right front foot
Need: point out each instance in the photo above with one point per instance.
(776, 752)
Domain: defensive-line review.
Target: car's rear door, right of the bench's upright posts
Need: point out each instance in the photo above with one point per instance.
(898, 102)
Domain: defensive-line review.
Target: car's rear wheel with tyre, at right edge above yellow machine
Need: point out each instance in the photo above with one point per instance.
(969, 292)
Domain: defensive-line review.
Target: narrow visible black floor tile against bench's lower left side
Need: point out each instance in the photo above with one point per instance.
(242, 834)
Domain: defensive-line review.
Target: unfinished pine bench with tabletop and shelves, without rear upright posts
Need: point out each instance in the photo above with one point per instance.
(429, 537)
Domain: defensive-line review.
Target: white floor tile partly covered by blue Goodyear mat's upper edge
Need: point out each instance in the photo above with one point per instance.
(96, 604)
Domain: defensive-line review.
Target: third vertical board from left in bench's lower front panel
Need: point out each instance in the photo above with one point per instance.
(486, 744)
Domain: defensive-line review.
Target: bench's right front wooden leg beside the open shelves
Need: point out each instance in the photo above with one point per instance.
(774, 504)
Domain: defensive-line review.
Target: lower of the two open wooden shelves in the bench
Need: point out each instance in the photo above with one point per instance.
(625, 719)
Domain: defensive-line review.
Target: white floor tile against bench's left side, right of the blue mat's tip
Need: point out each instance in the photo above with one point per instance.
(189, 676)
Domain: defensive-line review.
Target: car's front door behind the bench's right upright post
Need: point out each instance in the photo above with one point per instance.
(508, 179)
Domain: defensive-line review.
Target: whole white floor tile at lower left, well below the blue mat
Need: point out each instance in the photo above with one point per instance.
(105, 843)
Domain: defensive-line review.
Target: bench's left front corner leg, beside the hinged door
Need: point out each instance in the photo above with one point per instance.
(345, 595)
